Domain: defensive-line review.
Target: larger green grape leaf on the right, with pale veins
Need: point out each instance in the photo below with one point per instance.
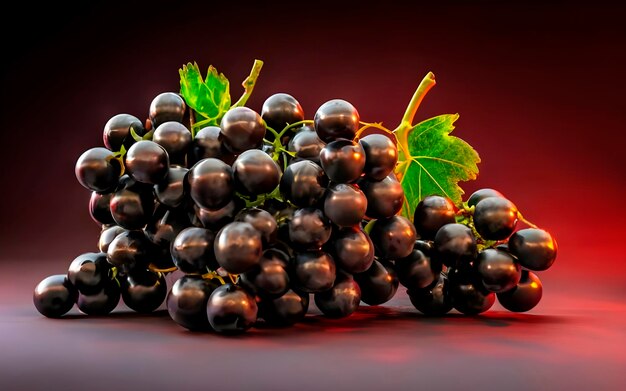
(436, 164)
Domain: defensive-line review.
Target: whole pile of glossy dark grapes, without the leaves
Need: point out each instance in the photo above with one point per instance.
(264, 210)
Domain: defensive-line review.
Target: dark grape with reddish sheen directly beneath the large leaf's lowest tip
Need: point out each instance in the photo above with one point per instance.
(393, 237)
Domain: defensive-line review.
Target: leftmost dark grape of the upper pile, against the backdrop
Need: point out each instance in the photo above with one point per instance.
(98, 170)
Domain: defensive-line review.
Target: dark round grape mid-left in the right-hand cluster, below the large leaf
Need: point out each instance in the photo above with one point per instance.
(455, 245)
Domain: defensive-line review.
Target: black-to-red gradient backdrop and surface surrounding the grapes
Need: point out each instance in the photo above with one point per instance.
(540, 90)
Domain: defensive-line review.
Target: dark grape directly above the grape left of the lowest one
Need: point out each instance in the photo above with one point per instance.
(192, 250)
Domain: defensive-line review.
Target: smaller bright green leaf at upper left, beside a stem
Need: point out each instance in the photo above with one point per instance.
(209, 98)
